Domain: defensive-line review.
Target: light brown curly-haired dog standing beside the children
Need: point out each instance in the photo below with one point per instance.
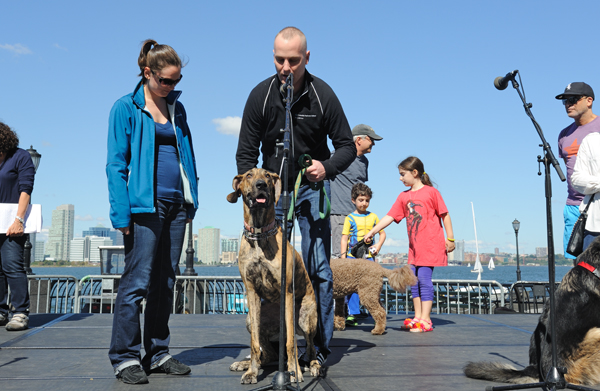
(365, 278)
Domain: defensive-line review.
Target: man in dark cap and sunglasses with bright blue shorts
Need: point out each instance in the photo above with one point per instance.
(577, 98)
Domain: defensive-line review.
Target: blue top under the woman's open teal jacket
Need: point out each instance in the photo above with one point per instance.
(168, 175)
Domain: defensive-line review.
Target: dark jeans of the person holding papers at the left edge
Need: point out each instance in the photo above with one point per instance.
(12, 274)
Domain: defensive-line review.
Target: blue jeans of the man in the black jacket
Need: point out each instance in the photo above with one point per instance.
(316, 252)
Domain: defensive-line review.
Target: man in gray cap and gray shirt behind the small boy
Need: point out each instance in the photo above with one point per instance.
(341, 185)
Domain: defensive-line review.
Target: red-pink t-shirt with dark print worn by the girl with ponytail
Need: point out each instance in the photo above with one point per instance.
(423, 210)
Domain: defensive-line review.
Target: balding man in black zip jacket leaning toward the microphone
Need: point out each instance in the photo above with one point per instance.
(316, 115)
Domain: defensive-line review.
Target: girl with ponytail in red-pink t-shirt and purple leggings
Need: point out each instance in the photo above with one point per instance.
(424, 209)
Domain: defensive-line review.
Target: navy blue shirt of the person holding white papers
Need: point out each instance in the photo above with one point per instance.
(16, 176)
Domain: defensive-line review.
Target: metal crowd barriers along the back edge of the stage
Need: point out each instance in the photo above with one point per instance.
(227, 295)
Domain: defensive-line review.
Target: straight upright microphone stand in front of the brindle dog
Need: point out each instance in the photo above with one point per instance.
(282, 379)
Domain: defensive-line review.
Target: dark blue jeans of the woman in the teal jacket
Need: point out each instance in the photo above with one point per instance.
(152, 252)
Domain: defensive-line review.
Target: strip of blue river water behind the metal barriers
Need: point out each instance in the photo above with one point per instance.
(502, 274)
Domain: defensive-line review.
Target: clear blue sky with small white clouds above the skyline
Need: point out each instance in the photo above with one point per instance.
(420, 73)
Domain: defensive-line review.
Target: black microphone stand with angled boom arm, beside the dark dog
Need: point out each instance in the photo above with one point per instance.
(555, 379)
